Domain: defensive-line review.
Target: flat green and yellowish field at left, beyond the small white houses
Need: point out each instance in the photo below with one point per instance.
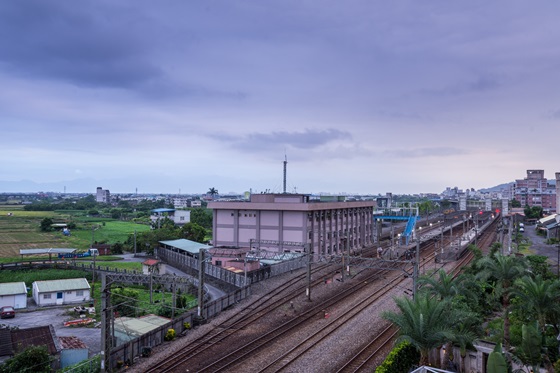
(20, 229)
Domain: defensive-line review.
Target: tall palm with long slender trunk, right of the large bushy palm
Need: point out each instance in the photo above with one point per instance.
(503, 271)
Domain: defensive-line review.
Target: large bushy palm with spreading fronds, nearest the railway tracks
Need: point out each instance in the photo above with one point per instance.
(424, 322)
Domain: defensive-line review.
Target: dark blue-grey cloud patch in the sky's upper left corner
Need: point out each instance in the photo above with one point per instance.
(76, 44)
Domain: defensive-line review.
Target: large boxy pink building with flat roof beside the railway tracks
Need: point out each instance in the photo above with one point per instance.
(291, 223)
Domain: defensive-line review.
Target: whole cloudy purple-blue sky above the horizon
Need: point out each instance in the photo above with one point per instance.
(365, 97)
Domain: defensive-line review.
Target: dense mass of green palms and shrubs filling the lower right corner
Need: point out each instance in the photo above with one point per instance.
(515, 298)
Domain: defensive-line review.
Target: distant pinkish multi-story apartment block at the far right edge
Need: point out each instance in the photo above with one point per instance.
(535, 190)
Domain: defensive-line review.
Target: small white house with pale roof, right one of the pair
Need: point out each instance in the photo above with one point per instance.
(58, 292)
